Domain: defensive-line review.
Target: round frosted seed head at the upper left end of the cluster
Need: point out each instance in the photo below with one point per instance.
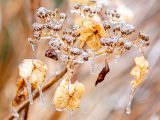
(42, 12)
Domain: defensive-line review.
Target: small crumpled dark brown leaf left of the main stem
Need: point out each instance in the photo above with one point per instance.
(51, 54)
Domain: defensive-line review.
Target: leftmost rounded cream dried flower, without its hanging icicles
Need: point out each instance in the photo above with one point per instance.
(33, 70)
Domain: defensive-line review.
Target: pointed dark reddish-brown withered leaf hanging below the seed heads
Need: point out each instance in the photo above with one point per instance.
(102, 74)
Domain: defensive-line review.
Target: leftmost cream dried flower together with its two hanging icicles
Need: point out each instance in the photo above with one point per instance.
(33, 71)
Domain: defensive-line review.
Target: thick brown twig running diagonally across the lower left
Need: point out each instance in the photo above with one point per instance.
(23, 105)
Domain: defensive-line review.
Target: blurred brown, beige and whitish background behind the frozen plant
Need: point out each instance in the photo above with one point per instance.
(108, 100)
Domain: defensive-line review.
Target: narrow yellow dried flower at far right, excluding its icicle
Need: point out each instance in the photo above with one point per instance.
(139, 71)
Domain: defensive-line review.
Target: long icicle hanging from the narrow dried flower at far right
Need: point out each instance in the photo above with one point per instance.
(128, 108)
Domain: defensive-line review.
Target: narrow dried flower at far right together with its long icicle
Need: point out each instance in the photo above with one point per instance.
(139, 72)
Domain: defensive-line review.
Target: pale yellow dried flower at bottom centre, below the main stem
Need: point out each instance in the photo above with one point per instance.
(67, 95)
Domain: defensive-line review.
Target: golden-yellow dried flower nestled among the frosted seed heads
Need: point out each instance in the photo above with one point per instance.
(91, 33)
